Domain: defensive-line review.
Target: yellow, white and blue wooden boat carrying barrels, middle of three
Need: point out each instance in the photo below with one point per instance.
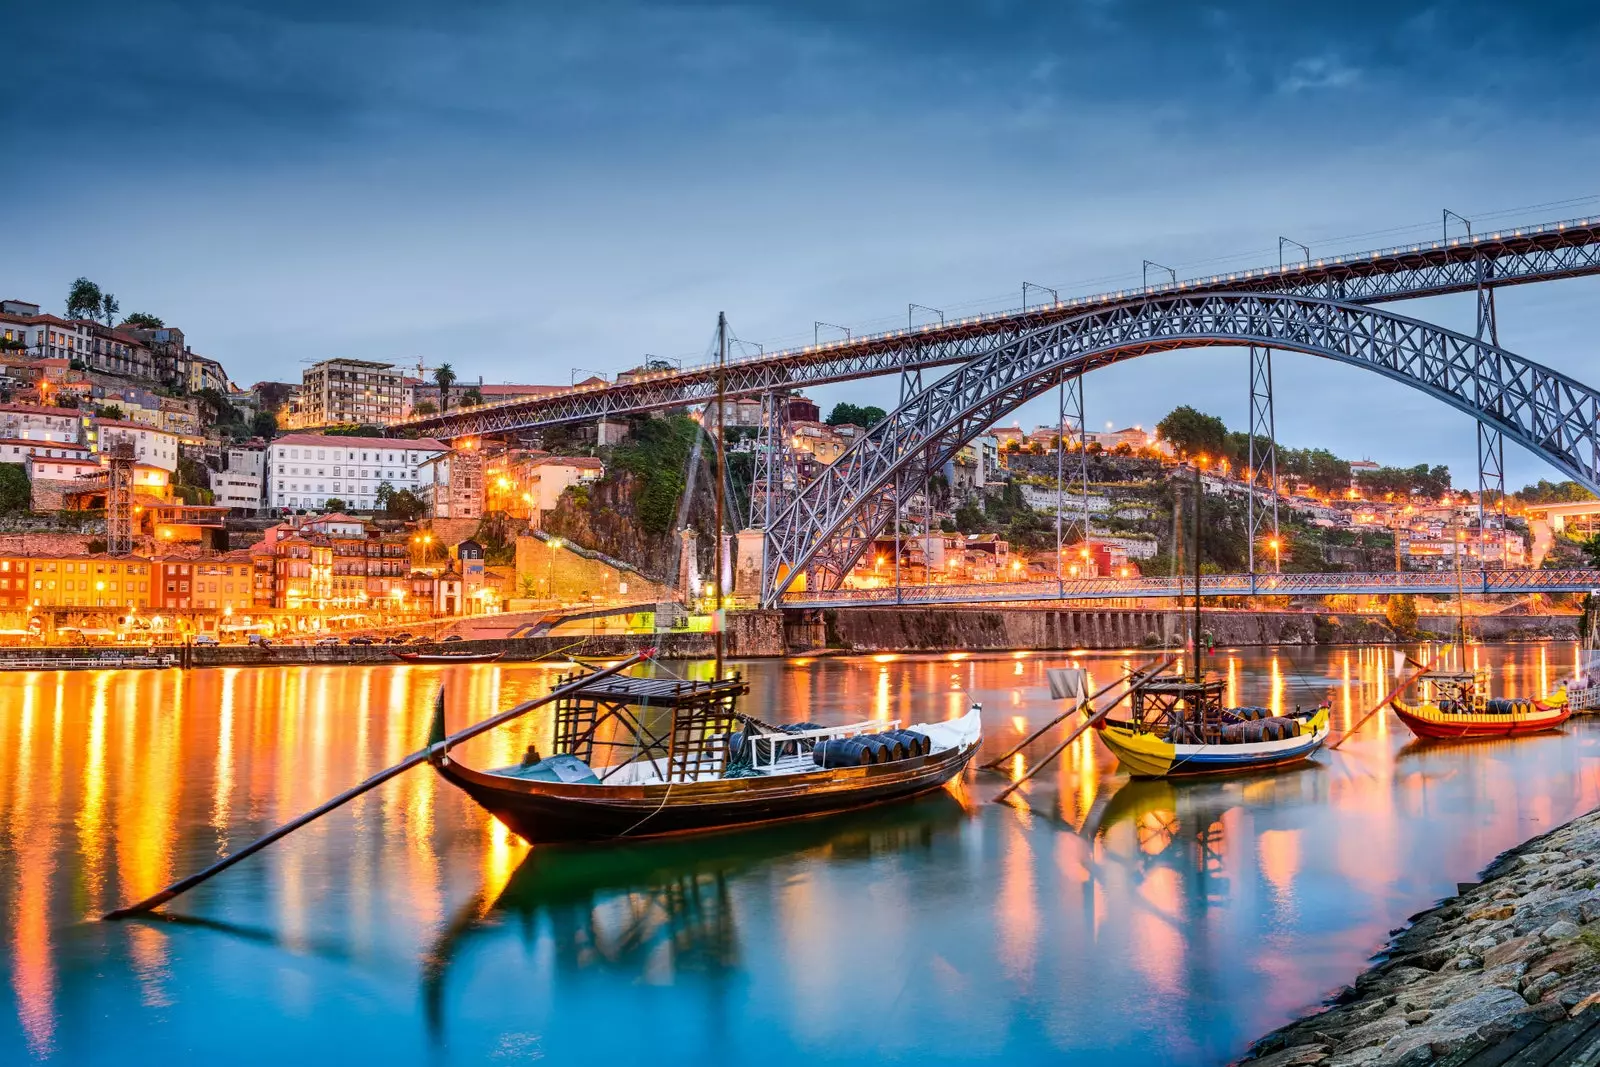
(1180, 729)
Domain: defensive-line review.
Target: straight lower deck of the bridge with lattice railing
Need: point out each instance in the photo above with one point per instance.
(1436, 583)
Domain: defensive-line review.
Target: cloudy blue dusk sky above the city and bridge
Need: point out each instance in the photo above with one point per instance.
(535, 191)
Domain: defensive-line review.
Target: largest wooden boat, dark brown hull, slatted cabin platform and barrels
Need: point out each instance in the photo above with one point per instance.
(706, 769)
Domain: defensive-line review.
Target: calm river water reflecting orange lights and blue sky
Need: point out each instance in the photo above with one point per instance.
(1106, 922)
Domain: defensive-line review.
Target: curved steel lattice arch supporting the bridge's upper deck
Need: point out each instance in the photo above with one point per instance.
(831, 521)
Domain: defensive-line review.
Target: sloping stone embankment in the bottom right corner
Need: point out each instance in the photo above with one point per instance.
(1506, 961)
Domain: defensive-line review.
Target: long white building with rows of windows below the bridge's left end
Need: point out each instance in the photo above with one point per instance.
(308, 470)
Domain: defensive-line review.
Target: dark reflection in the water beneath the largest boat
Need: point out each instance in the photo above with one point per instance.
(655, 909)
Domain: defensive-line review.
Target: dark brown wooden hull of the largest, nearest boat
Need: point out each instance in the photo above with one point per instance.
(558, 812)
